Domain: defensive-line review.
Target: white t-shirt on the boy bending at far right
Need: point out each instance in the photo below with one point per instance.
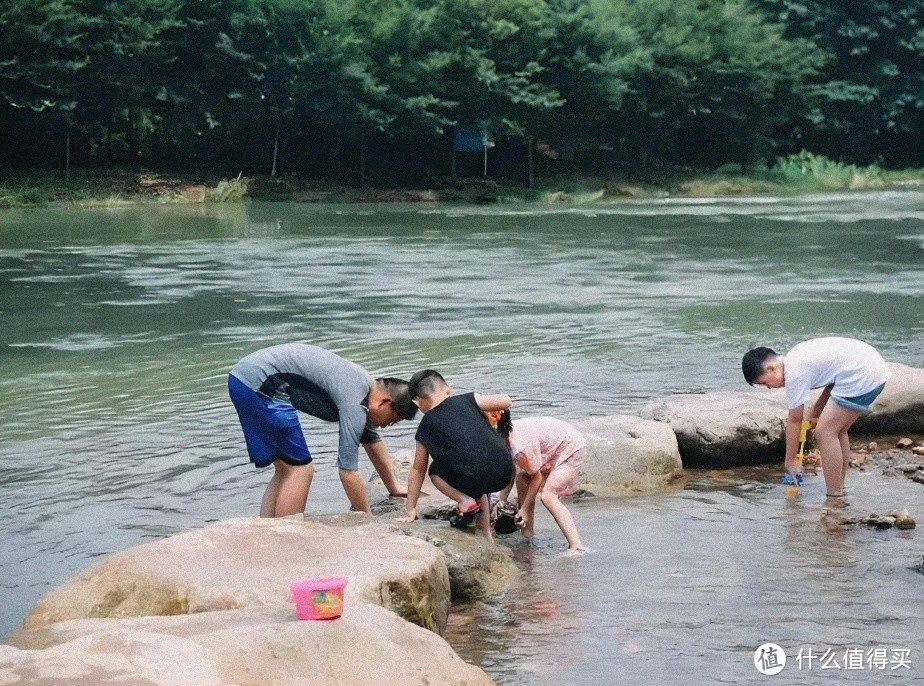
(854, 367)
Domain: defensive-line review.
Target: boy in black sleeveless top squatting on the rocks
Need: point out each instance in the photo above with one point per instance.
(470, 459)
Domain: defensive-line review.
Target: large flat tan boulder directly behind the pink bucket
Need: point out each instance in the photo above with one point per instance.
(249, 563)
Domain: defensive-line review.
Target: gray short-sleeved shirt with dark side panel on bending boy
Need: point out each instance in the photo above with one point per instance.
(319, 383)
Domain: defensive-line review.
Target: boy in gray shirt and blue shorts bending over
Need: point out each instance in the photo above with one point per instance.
(269, 385)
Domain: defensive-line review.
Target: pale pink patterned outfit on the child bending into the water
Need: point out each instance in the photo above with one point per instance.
(550, 445)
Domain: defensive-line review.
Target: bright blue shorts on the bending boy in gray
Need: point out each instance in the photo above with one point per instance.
(271, 428)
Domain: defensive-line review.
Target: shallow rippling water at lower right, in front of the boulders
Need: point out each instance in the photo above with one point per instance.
(683, 588)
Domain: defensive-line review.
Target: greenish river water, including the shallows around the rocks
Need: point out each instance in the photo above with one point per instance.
(119, 327)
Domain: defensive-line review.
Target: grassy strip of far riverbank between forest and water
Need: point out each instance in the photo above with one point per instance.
(794, 175)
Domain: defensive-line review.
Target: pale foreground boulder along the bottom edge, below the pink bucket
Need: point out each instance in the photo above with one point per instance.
(367, 646)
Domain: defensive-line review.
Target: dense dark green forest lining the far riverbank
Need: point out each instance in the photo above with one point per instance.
(348, 89)
